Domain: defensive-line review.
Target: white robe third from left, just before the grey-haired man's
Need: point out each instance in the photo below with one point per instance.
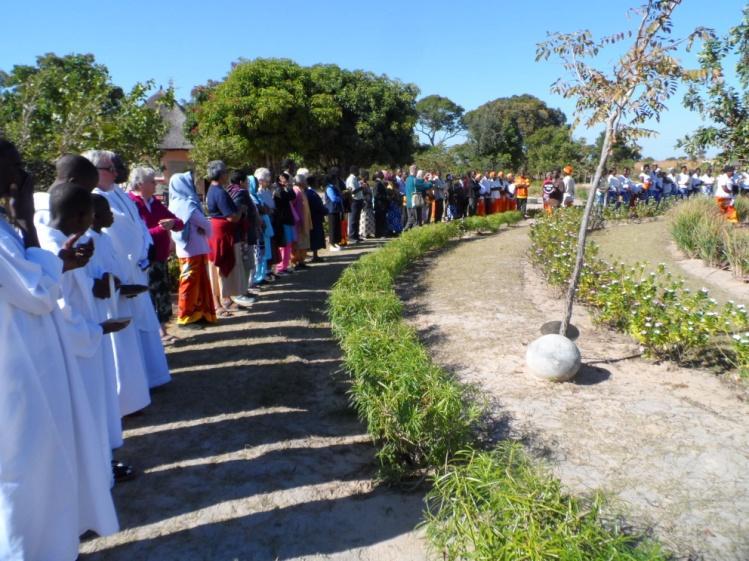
(132, 381)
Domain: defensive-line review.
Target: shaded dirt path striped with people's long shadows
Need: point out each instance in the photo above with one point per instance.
(252, 452)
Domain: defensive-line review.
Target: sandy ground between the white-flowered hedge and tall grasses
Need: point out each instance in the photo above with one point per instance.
(651, 242)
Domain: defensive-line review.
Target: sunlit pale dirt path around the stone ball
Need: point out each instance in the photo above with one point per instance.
(669, 444)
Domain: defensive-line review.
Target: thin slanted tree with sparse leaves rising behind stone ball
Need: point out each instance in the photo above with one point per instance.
(622, 98)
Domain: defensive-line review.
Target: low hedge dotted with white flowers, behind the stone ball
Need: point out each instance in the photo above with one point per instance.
(666, 318)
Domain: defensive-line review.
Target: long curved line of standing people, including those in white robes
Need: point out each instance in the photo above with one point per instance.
(86, 294)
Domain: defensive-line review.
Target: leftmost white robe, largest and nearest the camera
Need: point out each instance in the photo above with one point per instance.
(50, 492)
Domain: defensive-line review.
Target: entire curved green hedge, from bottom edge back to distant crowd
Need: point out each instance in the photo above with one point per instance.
(484, 505)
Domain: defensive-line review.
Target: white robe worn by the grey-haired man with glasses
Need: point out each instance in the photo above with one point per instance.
(131, 240)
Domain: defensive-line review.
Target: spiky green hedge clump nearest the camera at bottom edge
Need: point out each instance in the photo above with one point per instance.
(497, 506)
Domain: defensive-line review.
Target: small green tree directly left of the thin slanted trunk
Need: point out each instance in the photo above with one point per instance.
(553, 147)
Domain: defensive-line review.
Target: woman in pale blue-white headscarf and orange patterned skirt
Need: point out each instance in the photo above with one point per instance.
(195, 302)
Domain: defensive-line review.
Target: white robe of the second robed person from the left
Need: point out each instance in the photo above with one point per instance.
(86, 337)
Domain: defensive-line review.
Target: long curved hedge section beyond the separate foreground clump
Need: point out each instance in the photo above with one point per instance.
(416, 413)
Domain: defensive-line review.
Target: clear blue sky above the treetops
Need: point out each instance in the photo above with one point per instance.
(471, 51)
